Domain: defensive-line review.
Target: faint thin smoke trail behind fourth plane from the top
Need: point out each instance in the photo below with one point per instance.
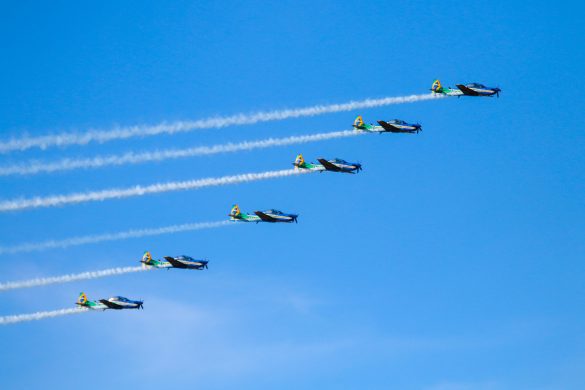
(97, 238)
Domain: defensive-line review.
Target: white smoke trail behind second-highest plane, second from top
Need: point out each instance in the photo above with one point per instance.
(35, 167)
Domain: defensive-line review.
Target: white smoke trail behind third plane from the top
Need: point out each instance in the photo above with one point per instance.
(117, 193)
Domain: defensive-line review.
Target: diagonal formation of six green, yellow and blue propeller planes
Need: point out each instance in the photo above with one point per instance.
(276, 216)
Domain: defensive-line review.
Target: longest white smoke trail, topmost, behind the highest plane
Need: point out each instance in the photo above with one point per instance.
(65, 139)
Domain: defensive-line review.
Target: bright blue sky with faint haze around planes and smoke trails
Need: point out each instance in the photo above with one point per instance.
(455, 260)
